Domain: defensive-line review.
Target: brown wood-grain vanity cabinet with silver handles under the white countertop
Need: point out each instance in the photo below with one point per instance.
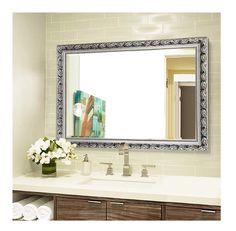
(72, 207)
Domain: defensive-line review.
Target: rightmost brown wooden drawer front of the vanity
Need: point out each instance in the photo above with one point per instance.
(181, 213)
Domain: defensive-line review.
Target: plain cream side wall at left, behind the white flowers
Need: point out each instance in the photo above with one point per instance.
(28, 86)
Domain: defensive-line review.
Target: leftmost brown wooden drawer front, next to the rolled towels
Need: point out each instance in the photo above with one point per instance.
(80, 209)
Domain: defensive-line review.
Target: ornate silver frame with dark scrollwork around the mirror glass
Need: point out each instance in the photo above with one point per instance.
(201, 46)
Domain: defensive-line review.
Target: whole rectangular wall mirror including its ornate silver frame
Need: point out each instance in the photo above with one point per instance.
(149, 94)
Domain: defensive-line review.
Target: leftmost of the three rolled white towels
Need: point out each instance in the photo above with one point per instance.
(18, 206)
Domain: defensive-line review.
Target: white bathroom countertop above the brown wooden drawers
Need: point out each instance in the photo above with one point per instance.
(182, 189)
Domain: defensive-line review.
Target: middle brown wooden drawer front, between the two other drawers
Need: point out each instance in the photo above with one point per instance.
(129, 210)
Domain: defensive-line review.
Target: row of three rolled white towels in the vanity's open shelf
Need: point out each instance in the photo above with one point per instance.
(33, 208)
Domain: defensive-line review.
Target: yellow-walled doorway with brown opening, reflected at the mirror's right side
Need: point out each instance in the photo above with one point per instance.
(180, 98)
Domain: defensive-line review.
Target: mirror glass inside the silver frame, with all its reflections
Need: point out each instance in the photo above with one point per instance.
(143, 94)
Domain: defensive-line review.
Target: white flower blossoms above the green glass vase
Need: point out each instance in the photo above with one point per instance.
(46, 150)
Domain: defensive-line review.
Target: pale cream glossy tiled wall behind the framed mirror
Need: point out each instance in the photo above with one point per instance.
(64, 28)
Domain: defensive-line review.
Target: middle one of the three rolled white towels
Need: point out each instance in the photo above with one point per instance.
(30, 210)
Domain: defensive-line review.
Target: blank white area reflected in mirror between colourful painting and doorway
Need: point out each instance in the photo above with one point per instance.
(130, 83)
